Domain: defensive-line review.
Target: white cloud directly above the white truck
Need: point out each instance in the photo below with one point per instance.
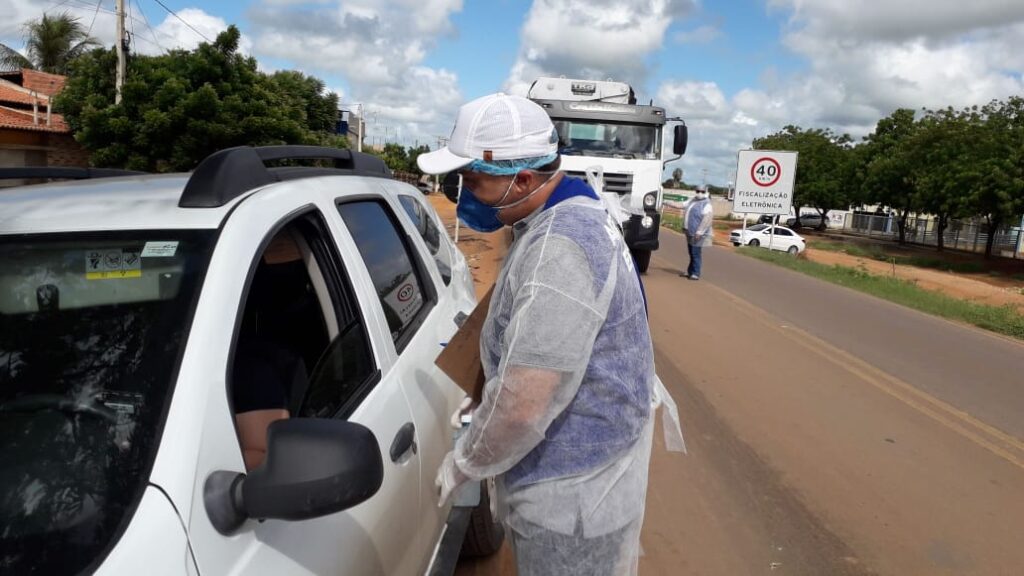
(592, 39)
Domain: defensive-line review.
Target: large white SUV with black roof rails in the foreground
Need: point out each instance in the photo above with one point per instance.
(229, 373)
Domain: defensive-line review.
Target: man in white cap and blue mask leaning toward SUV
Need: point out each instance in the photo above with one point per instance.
(565, 424)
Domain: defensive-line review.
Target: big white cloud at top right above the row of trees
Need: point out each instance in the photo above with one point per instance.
(864, 61)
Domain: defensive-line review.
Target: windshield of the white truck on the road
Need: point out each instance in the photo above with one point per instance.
(581, 138)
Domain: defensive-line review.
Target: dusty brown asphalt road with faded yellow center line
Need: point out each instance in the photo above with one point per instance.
(829, 433)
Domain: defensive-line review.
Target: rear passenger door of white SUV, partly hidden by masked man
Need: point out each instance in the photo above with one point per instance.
(420, 315)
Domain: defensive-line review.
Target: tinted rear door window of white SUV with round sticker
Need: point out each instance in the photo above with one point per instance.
(393, 267)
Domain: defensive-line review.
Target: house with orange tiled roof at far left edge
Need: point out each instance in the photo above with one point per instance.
(31, 134)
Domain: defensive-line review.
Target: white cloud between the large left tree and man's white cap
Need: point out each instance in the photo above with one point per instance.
(378, 47)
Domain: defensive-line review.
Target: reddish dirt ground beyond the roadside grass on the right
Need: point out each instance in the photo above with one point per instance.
(983, 287)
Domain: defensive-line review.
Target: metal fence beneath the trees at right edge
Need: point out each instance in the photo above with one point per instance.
(960, 235)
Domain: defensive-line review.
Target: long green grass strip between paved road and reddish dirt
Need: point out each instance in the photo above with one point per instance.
(1003, 320)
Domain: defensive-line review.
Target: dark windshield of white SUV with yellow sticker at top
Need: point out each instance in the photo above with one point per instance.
(92, 331)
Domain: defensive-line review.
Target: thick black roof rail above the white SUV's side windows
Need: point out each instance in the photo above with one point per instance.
(226, 175)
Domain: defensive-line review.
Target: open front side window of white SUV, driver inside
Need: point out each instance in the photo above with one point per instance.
(303, 345)
